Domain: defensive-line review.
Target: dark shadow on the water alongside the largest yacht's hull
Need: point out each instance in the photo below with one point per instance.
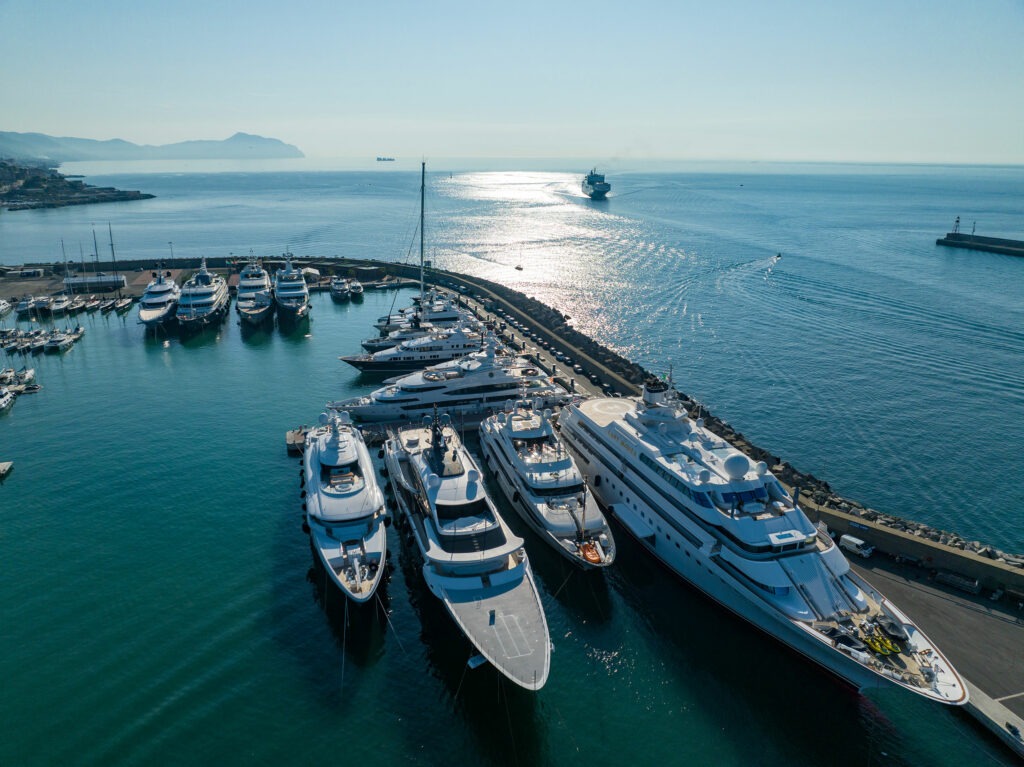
(751, 679)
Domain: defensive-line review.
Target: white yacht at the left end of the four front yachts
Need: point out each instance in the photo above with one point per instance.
(345, 507)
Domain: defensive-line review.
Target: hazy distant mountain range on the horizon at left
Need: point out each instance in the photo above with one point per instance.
(53, 149)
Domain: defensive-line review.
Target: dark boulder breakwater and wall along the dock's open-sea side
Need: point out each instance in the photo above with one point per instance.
(970, 566)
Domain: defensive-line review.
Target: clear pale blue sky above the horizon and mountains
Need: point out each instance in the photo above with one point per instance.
(923, 81)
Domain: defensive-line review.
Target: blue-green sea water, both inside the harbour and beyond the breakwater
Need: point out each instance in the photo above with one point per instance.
(161, 604)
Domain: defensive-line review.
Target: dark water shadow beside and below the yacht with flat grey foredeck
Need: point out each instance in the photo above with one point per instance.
(503, 718)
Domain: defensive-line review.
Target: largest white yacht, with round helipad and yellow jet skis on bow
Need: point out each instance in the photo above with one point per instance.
(729, 527)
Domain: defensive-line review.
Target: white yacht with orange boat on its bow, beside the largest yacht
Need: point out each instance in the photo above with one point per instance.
(542, 483)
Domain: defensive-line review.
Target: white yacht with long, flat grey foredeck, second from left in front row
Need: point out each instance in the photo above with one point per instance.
(473, 562)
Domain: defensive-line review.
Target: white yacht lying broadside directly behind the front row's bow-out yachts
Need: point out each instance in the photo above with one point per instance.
(472, 388)
